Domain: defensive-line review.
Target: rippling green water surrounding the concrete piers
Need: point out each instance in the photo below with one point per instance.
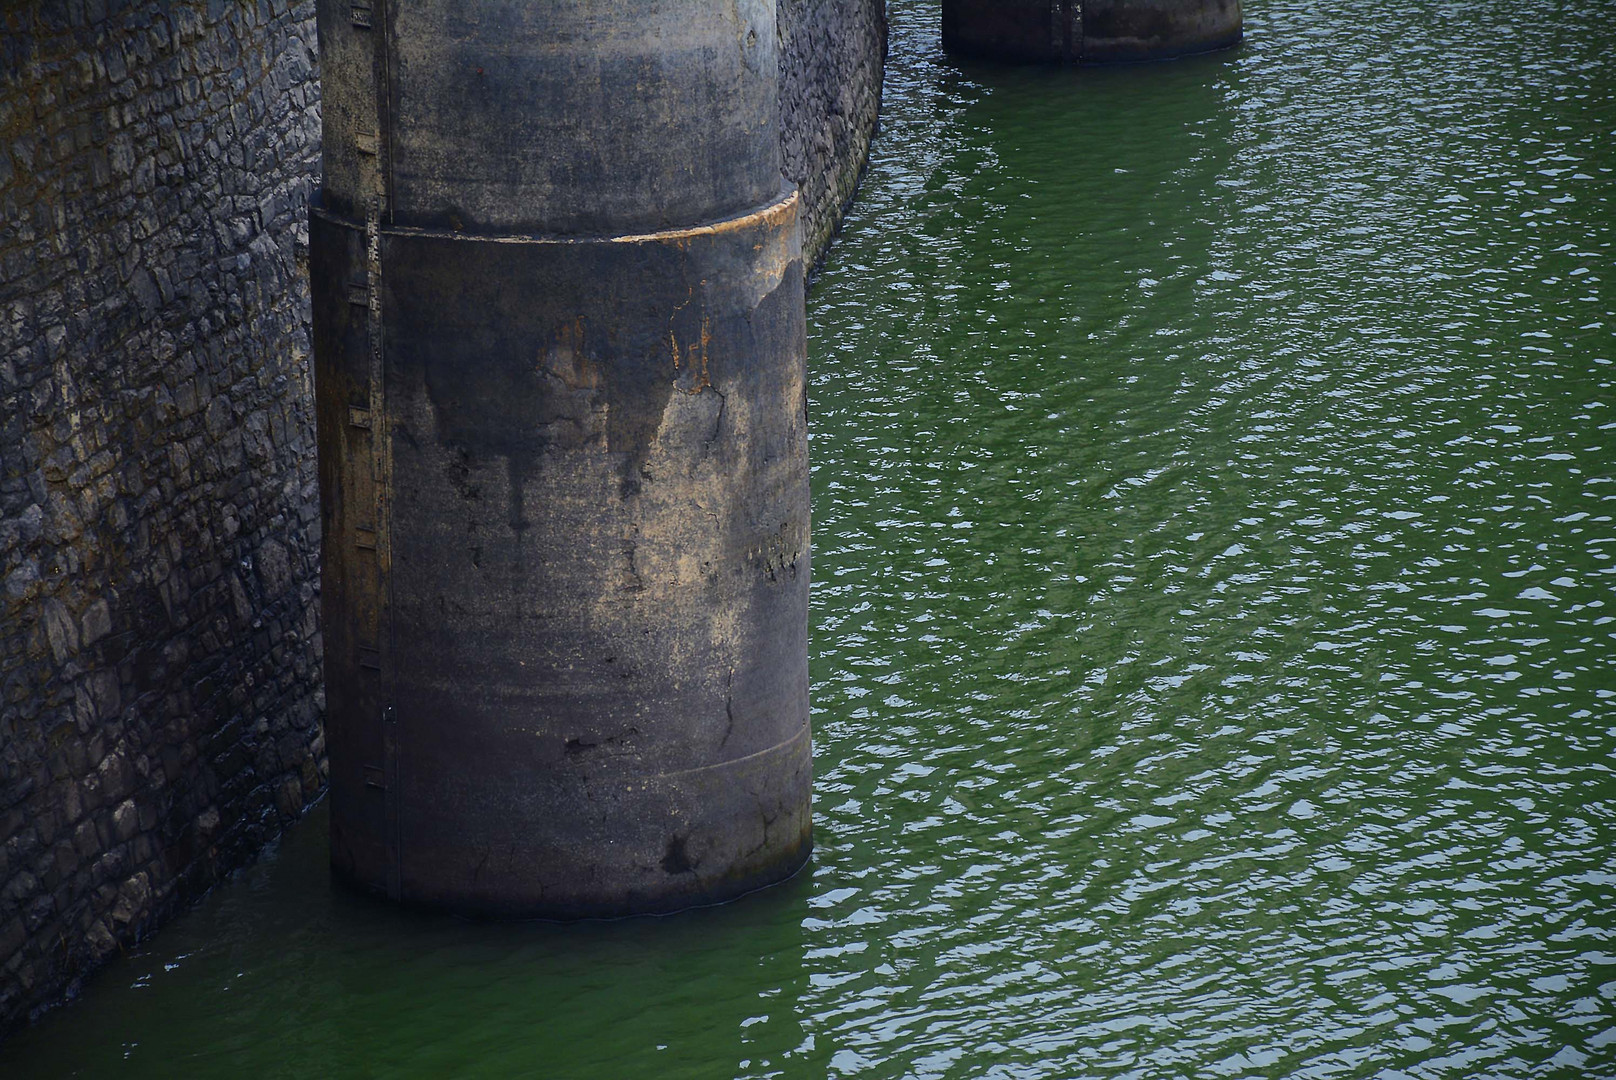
(1214, 617)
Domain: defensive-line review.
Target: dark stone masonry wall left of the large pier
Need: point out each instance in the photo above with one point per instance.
(159, 529)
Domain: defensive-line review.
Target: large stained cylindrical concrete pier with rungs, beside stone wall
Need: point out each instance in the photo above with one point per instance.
(558, 308)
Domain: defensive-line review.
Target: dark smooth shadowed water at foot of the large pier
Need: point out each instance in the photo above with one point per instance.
(285, 974)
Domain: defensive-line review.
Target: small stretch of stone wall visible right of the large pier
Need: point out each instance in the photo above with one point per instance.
(833, 54)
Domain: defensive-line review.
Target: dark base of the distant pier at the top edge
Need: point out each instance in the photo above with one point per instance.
(1090, 32)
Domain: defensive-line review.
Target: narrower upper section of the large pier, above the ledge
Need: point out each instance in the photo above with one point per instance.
(629, 116)
